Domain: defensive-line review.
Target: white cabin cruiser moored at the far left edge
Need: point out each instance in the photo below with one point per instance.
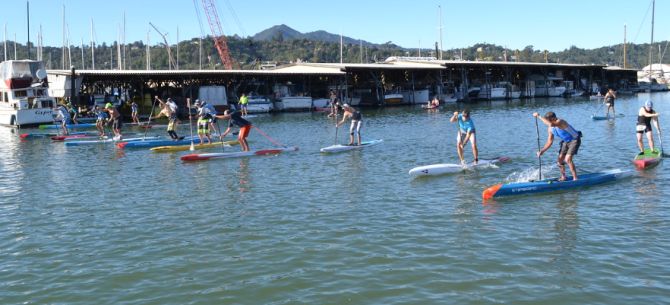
(24, 96)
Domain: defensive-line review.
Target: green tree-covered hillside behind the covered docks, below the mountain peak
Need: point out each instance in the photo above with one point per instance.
(250, 54)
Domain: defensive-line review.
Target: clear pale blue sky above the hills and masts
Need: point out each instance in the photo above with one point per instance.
(544, 24)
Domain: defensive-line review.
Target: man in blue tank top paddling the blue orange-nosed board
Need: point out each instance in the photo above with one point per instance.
(571, 139)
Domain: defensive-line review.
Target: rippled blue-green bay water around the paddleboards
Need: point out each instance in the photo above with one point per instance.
(83, 225)
